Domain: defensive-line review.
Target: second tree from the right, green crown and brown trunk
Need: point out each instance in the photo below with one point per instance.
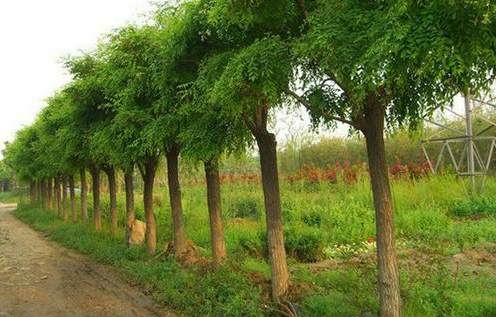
(252, 83)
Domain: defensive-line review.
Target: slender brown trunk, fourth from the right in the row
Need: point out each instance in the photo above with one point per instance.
(175, 200)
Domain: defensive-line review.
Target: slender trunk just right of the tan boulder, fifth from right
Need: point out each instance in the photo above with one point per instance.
(151, 228)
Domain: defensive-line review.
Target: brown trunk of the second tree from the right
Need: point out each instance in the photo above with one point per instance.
(275, 235)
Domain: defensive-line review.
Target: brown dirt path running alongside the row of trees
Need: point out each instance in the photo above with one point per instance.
(40, 278)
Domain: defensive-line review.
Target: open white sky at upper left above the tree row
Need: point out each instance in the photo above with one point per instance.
(35, 35)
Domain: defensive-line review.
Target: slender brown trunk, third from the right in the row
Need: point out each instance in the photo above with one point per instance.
(215, 211)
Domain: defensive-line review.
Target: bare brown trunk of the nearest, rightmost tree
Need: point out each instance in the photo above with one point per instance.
(389, 284)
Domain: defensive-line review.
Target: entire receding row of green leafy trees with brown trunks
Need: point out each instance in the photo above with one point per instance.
(202, 78)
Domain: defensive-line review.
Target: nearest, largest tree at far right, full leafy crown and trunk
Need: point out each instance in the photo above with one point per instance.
(372, 63)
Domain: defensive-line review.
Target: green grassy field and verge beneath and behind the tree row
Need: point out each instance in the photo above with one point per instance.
(446, 246)
